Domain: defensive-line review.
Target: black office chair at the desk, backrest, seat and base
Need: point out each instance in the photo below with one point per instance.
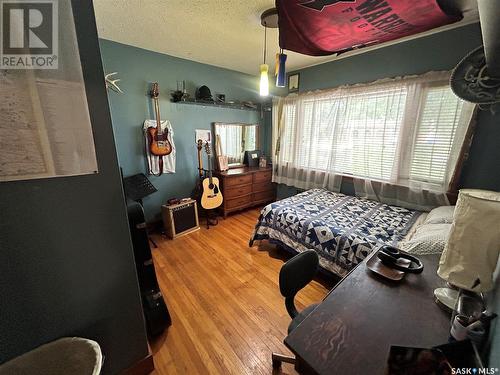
(295, 274)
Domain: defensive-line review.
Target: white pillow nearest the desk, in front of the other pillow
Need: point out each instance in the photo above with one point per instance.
(427, 239)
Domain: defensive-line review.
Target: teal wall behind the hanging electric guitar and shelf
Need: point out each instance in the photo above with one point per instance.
(137, 68)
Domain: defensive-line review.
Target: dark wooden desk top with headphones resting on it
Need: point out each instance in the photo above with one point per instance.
(351, 331)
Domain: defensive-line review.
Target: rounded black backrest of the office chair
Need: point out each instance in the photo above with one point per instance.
(295, 274)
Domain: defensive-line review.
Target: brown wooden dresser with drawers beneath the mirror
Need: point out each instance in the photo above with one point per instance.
(246, 187)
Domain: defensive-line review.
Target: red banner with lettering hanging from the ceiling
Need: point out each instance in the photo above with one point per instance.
(325, 27)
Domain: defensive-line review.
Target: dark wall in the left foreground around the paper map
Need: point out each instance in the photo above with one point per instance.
(67, 265)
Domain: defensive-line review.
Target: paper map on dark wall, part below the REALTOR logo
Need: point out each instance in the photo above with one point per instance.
(45, 128)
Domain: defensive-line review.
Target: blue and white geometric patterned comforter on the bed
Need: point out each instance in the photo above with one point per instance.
(342, 229)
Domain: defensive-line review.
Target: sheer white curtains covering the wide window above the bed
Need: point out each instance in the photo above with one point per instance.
(398, 138)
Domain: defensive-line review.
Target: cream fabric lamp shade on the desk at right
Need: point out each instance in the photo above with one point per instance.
(471, 253)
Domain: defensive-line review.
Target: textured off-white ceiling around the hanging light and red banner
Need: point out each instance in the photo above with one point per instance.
(224, 33)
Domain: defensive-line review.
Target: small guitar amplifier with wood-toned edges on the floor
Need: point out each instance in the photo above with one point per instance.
(180, 219)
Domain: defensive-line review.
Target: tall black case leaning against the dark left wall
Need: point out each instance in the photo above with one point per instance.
(155, 309)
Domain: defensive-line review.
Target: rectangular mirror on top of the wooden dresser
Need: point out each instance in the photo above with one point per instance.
(235, 139)
